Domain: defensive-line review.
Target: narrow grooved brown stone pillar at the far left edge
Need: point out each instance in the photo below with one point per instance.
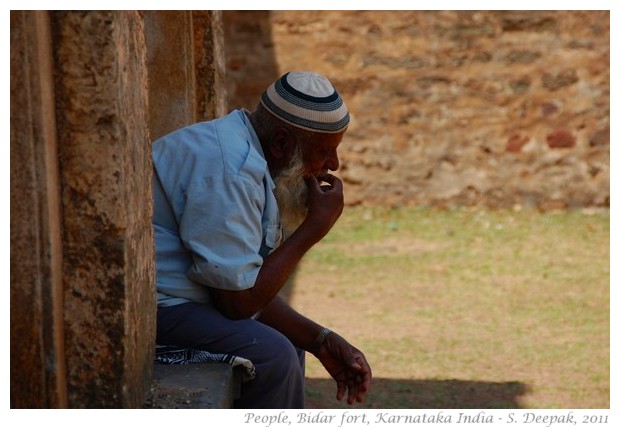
(37, 349)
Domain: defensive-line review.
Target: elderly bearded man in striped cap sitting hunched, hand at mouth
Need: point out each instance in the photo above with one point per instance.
(238, 201)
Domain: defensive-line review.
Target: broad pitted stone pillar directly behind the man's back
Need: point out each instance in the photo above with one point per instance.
(104, 150)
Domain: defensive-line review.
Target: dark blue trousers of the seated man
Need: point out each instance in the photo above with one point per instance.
(280, 366)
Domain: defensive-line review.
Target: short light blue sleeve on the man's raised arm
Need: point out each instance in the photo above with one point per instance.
(221, 226)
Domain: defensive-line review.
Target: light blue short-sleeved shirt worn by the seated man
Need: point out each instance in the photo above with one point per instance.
(215, 215)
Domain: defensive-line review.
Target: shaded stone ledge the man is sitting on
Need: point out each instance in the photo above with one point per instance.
(205, 385)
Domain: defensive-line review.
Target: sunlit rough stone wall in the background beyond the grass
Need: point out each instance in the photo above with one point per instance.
(495, 108)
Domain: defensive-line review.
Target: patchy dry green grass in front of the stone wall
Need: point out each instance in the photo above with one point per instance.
(466, 307)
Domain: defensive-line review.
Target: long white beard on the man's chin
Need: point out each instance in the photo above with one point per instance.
(291, 194)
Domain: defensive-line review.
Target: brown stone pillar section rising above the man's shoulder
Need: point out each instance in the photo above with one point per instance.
(186, 68)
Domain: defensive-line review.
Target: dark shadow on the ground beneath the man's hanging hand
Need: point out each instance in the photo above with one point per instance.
(422, 394)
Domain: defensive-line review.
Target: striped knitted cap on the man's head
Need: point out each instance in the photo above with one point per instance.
(307, 100)
